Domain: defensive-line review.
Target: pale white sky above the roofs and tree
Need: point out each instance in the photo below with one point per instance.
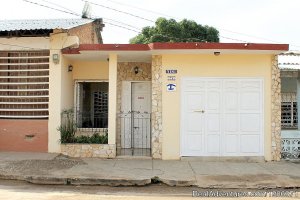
(256, 21)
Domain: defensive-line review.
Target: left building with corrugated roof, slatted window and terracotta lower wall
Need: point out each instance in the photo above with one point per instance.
(29, 50)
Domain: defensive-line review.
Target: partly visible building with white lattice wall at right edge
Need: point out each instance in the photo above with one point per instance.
(289, 64)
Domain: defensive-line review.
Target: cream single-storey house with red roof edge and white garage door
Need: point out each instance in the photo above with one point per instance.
(174, 100)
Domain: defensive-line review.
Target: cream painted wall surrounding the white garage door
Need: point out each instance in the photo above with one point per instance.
(210, 66)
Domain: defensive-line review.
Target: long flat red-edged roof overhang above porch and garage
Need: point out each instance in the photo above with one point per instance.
(143, 52)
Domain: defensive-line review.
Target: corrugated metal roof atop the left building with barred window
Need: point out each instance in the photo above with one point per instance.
(34, 24)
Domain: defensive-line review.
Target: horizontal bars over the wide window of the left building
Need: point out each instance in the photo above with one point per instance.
(24, 84)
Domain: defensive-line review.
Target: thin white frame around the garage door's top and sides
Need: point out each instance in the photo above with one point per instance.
(183, 79)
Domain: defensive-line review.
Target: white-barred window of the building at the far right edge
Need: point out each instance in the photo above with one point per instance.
(289, 111)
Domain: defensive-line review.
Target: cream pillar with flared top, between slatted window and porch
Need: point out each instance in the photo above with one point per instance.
(60, 87)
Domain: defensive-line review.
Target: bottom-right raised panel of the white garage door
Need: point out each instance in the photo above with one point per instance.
(250, 143)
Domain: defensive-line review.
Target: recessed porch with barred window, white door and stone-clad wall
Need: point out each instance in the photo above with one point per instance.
(113, 94)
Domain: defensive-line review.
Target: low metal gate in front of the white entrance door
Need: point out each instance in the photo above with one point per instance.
(135, 134)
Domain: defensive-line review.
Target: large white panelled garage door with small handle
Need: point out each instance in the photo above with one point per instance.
(222, 117)
